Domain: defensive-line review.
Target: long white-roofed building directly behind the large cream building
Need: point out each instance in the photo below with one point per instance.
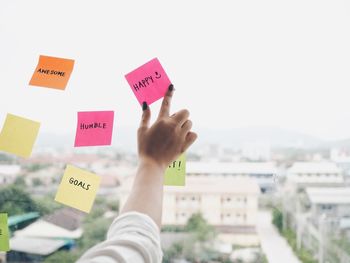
(262, 172)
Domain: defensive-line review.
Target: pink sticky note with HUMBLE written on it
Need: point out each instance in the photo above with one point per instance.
(94, 128)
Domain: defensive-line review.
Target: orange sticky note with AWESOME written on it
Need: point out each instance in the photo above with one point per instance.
(52, 72)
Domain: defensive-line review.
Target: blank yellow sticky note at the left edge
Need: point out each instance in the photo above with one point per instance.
(18, 135)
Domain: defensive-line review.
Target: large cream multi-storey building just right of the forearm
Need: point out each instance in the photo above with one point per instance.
(228, 203)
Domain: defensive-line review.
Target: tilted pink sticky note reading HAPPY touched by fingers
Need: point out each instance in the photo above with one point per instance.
(148, 82)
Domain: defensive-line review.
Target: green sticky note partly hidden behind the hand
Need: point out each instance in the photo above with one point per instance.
(175, 174)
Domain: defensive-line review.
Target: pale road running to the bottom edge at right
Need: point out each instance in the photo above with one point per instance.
(274, 246)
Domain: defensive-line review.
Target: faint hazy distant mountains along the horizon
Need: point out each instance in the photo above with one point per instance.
(125, 139)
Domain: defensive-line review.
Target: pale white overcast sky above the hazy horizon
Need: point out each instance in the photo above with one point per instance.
(233, 63)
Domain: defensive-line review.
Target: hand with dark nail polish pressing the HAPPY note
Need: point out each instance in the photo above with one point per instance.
(168, 137)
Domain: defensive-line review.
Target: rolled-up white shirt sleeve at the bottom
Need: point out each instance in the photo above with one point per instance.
(132, 237)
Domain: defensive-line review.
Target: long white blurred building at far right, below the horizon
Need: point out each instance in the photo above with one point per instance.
(313, 174)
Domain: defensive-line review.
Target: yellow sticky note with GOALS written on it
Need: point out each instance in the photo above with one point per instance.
(78, 188)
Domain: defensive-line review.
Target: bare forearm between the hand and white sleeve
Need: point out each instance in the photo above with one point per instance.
(147, 192)
